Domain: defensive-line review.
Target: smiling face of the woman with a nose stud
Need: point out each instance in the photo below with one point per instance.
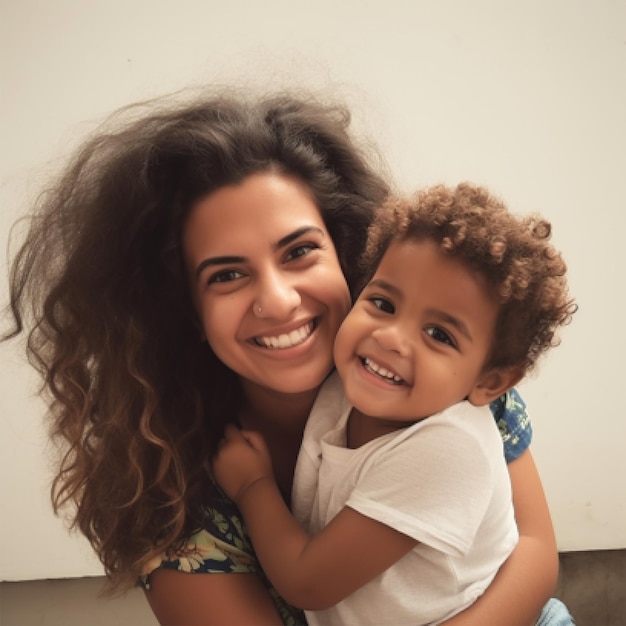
(266, 281)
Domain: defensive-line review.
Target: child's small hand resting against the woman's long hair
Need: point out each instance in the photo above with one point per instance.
(242, 459)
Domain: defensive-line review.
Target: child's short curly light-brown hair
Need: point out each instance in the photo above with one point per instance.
(525, 272)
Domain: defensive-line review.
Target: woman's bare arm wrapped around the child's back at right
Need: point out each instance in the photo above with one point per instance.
(528, 578)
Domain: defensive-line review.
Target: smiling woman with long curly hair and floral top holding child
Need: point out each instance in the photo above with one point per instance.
(186, 272)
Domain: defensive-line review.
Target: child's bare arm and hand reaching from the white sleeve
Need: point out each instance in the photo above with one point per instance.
(309, 572)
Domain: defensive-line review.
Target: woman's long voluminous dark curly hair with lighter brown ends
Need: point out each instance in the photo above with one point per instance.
(100, 289)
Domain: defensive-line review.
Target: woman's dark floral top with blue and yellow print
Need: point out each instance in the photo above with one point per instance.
(222, 544)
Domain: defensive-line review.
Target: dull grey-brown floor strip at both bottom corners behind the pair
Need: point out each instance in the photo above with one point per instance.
(592, 584)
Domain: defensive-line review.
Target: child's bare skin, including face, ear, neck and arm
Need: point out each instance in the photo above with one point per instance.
(415, 343)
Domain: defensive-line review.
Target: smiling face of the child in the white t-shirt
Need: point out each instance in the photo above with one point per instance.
(418, 337)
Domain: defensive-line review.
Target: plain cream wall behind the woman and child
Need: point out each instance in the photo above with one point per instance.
(527, 98)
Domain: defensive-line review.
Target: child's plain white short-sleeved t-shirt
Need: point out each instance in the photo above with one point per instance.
(442, 481)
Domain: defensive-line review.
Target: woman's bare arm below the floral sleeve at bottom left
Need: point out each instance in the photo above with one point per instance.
(216, 599)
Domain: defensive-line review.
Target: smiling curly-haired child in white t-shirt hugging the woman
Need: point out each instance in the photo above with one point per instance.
(404, 493)
